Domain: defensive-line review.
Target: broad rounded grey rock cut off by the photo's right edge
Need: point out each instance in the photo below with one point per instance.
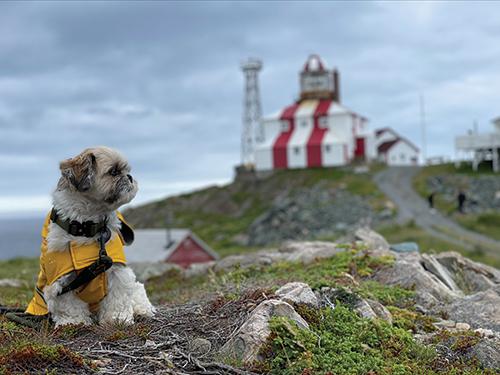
(480, 310)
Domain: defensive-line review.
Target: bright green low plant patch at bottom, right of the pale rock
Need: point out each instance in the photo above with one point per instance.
(342, 343)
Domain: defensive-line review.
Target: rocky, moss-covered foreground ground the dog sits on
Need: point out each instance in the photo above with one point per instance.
(353, 307)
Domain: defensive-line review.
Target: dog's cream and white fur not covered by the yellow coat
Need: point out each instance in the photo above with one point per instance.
(92, 186)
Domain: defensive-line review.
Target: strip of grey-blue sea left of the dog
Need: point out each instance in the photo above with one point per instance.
(20, 237)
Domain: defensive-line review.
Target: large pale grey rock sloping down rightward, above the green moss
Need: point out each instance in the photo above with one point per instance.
(408, 272)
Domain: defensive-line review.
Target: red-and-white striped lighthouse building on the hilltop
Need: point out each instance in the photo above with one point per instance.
(316, 130)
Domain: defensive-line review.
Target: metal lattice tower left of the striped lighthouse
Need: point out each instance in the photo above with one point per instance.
(252, 131)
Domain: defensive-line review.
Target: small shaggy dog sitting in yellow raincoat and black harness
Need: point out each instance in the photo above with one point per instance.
(83, 273)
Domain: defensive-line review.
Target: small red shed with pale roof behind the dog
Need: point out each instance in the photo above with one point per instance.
(179, 246)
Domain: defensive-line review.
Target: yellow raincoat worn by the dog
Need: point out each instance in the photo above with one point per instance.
(55, 264)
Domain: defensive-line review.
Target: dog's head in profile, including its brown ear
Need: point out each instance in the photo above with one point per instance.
(101, 175)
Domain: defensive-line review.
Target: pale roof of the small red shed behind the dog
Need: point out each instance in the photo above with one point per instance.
(151, 244)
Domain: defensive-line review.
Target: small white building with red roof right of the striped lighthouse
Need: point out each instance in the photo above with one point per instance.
(392, 149)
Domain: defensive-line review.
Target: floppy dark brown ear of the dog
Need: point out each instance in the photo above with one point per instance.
(80, 170)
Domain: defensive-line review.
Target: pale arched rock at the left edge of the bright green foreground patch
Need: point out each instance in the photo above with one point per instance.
(249, 338)
